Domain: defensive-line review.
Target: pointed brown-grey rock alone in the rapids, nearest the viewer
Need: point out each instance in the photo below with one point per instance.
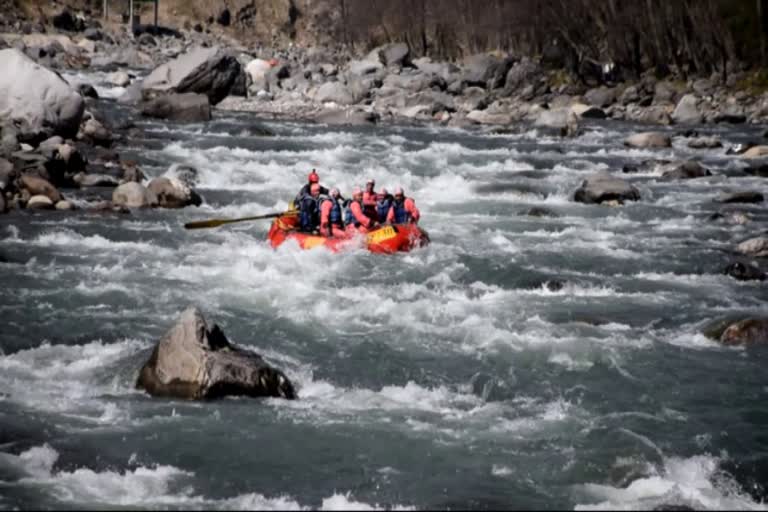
(194, 362)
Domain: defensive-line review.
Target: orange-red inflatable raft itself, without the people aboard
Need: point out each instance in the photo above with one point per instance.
(386, 239)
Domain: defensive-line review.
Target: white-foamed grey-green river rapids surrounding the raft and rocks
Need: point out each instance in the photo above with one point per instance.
(451, 377)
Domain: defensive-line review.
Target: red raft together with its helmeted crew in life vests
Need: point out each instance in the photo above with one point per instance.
(384, 222)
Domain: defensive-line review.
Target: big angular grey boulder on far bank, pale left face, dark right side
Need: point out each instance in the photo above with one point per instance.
(209, 71)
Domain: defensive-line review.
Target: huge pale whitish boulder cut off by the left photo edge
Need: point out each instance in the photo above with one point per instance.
(38, 101)
